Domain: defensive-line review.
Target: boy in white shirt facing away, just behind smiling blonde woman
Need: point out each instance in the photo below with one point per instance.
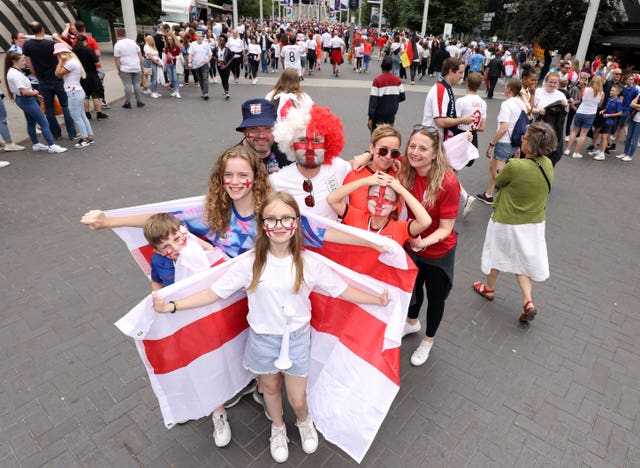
(472, 103)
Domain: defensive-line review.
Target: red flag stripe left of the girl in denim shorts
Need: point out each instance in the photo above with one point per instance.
(196, 339)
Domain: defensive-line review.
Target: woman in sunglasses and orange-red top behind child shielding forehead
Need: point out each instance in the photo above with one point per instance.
(385, 151)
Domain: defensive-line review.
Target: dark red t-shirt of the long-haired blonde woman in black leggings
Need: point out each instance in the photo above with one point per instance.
(445, 207)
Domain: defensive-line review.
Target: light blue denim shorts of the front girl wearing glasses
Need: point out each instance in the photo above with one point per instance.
(262, 350)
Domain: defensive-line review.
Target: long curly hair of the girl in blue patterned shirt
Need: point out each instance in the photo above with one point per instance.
(218, 204)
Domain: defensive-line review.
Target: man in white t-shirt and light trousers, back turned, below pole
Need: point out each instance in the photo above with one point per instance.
(128, 60)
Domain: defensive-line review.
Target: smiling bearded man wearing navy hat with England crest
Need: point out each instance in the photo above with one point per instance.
(258, 119)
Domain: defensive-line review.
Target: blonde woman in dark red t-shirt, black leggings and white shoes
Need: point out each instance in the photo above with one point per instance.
(427, 175)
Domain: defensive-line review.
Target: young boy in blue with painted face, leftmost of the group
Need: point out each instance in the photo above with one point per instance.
(169, 239)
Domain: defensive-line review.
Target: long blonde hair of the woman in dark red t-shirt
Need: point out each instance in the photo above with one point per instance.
(437, 171)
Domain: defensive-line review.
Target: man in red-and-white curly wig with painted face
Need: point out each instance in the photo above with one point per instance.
(313, 140)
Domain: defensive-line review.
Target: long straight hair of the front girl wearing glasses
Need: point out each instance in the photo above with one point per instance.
(263, 243)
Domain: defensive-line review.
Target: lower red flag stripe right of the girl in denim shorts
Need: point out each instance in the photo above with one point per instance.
(359, 331)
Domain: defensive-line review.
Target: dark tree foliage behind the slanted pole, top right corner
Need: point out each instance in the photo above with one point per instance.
(557, 24)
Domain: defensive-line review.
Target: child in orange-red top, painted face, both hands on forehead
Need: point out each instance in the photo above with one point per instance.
(383, 191)
